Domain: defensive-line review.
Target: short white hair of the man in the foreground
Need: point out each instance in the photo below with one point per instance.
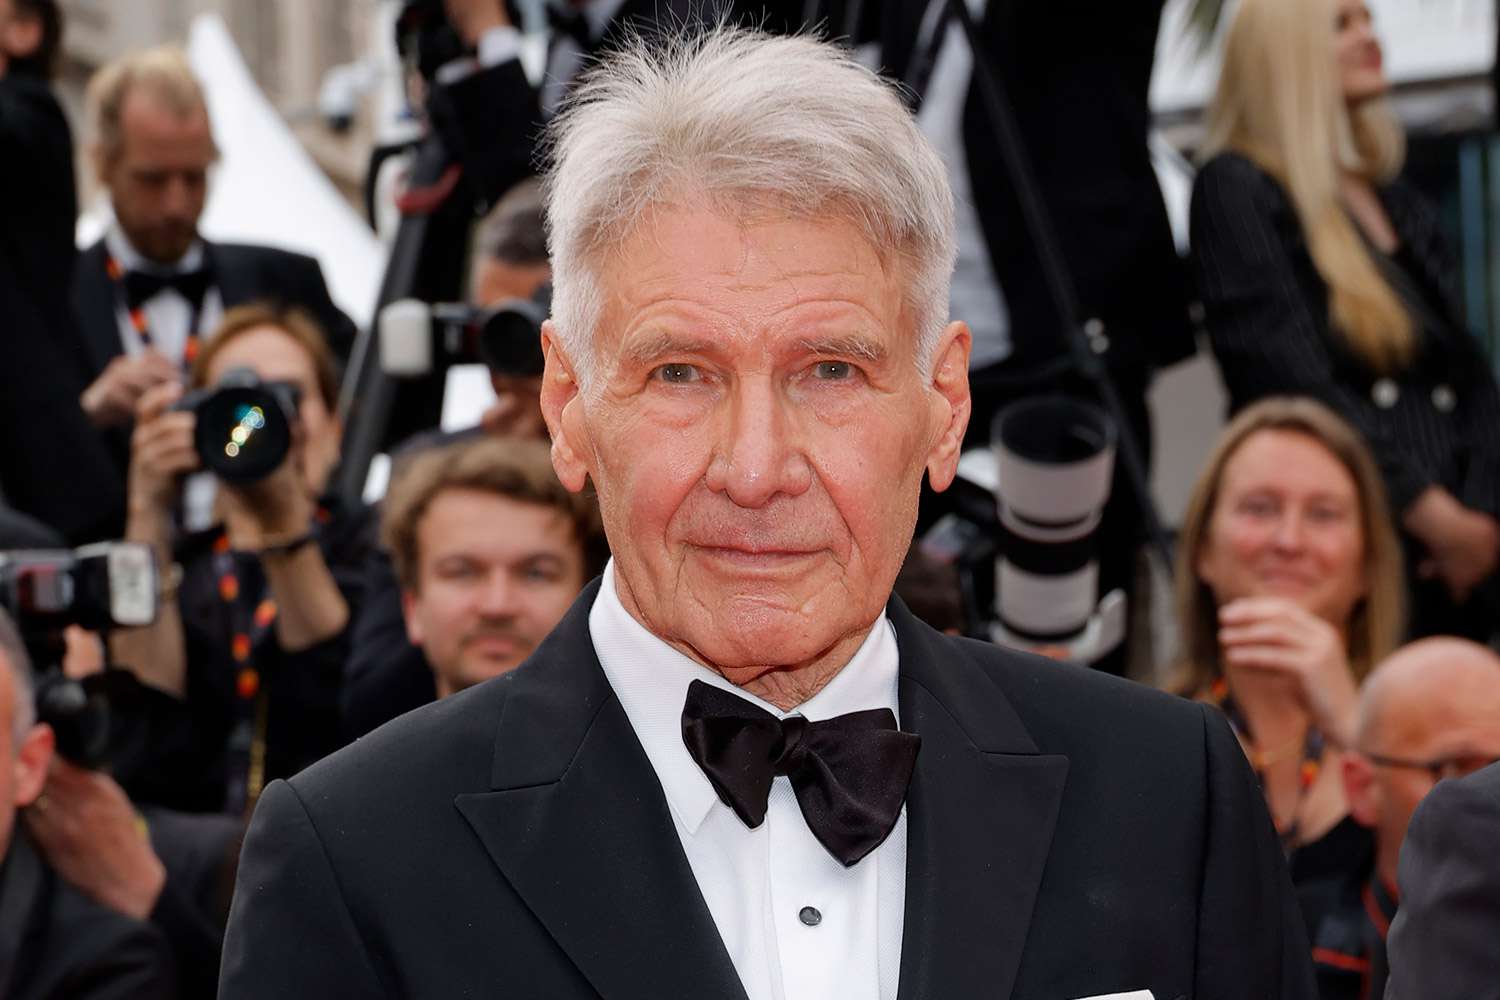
(742, 121)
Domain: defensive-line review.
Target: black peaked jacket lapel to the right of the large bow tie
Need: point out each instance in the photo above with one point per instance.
(980, 819)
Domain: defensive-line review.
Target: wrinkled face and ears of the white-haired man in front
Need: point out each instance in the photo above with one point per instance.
(757, 430)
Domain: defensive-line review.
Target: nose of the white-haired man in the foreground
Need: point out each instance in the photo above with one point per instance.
(758, 455)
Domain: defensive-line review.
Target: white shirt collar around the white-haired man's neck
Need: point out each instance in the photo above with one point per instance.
(650, 678)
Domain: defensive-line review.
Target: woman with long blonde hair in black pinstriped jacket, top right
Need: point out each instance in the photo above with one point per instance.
(1322, 275)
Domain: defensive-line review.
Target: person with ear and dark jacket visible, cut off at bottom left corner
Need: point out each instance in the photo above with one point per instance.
(56, 942)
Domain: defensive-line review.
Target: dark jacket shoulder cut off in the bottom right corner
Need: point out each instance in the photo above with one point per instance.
(1445, 941)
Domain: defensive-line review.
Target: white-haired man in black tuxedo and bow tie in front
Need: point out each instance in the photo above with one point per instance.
(739, 768)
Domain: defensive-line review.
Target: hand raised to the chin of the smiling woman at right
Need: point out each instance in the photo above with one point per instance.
(1276, 636)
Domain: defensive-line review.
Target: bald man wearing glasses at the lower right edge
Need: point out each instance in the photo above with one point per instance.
(1430, 711)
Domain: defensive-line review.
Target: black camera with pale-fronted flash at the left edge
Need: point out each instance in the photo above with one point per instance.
(103, 587)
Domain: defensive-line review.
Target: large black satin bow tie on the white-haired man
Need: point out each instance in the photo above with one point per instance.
(850, 773)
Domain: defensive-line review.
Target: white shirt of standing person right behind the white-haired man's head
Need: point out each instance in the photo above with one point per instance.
(974, 295)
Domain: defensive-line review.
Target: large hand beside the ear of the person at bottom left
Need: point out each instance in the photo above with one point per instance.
(95, 839)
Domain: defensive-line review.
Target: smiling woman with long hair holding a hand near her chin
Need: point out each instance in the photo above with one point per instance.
(1289, 591)
